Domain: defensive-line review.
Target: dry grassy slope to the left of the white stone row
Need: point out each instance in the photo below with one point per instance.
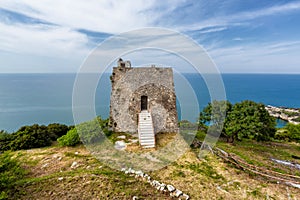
(51, 177)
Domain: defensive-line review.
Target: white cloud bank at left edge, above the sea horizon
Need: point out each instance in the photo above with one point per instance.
(41, 40)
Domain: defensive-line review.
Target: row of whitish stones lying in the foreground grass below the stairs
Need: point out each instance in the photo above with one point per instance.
(173, 192)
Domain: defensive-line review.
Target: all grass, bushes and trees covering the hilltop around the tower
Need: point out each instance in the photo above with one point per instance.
(49, 162)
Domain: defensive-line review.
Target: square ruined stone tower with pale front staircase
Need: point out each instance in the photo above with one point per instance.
(143, 101)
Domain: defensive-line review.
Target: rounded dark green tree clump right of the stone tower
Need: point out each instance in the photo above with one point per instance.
(246, 119)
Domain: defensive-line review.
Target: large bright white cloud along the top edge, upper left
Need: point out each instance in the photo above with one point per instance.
(110, 16)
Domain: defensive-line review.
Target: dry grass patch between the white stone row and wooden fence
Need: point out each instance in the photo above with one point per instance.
(210, 178)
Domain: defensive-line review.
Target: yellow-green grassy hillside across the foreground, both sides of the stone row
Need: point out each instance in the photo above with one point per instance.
(72, 173)
